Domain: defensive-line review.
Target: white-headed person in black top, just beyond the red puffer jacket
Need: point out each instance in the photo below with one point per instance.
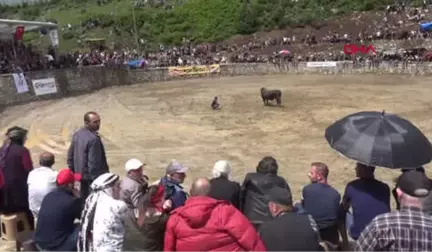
(221, 187)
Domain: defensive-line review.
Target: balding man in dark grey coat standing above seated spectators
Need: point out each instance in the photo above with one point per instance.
(86, 154)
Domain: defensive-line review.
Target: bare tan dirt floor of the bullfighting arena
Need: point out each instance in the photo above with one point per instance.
(172, 120)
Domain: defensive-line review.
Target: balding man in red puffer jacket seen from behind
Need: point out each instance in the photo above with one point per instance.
(206, 224)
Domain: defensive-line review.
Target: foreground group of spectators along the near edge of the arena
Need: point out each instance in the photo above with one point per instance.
(86, 207)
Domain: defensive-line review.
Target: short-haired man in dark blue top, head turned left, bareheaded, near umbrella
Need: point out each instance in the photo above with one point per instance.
(322, 201)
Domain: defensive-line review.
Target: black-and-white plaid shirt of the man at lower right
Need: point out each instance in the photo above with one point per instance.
(407, 230)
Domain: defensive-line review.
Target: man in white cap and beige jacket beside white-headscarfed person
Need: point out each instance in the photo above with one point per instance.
(135, 184)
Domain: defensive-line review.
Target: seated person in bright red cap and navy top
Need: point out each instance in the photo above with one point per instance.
(55, 229)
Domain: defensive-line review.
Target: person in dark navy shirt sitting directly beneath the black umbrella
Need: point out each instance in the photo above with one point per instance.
(368, 197)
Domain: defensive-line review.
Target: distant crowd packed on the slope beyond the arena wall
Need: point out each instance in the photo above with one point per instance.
(300, 47)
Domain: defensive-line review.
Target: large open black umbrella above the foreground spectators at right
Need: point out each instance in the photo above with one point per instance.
(380, 139)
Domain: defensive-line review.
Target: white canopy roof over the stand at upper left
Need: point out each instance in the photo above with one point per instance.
(8, 26)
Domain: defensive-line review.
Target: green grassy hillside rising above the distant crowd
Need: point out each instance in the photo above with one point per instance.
(169, 23)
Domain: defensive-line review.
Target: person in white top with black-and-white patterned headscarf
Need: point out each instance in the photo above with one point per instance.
(102, 221)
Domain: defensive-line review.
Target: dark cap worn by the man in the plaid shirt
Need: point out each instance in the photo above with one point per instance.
(414, 183)
